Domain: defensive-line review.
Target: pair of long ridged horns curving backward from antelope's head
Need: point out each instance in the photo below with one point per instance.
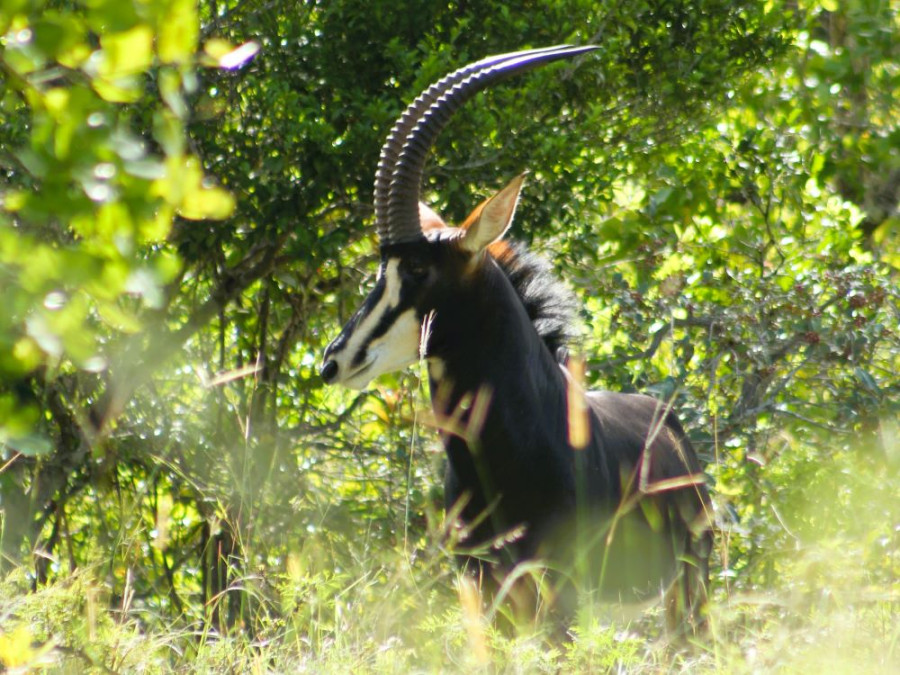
(402, 162)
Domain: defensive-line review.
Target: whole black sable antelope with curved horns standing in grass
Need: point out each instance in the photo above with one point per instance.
(489, 319)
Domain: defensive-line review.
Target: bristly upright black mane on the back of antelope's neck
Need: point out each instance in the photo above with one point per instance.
(551, 306)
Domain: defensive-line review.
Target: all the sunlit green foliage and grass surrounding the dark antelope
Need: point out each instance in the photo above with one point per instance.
(185, 219)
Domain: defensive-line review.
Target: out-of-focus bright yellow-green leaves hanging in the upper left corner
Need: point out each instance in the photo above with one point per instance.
(88, 196)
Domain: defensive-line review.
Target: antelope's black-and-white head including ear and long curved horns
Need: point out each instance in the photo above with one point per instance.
(424, 263)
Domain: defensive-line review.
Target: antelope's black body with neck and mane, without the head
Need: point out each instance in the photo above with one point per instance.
(520, 482)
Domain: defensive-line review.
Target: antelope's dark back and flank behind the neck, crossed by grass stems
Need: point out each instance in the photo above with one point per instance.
(661, 514)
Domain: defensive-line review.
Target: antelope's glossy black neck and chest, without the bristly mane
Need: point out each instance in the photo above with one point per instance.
(499, 397)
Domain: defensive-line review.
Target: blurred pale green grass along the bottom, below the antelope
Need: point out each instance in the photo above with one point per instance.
(823, 596)
